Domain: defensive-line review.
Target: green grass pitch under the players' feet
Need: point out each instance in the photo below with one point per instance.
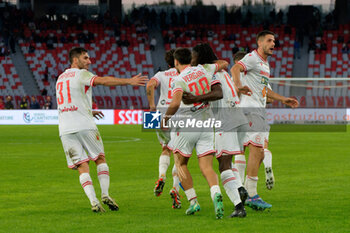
(38, 193)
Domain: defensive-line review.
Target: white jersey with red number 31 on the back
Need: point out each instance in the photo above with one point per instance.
(74, 101)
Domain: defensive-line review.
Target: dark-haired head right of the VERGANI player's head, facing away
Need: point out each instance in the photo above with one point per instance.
(203, 54)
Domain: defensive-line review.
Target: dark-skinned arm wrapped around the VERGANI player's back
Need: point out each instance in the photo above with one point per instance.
(214, 94)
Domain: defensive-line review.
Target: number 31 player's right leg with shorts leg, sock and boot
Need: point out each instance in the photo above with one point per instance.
(92, 141)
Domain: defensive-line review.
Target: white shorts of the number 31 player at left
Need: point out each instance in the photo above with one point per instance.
(82, 146)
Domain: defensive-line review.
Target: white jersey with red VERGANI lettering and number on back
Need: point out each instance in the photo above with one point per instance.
(196, 80)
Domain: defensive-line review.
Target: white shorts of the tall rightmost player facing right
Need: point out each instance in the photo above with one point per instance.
(257, 133)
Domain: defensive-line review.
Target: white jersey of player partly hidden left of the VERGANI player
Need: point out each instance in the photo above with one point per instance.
(164, 79)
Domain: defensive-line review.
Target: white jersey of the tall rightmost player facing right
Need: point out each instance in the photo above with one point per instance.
(256, 77)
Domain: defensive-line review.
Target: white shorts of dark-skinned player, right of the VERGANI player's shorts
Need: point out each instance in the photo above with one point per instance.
(231, 142)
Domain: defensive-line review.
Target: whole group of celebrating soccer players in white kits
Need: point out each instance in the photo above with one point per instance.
(196, 85)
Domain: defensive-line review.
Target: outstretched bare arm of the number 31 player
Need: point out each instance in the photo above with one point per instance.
(136, 80)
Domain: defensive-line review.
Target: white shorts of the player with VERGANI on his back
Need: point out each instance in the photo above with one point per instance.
(184, 142)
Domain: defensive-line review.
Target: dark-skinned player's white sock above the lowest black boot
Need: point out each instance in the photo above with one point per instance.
(227, 179)
